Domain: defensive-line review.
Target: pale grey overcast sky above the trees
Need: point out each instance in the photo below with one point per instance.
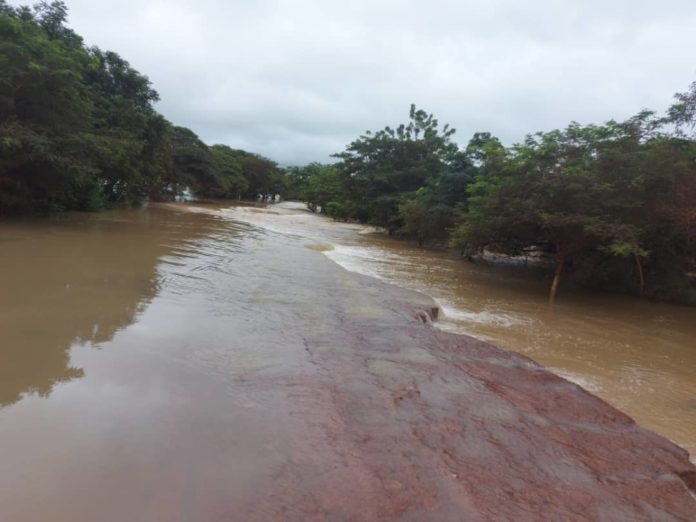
(298, 80)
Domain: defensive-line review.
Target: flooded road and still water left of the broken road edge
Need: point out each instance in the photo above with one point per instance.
(162, 365)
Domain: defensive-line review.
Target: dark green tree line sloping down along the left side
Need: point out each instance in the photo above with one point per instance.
(78, 129)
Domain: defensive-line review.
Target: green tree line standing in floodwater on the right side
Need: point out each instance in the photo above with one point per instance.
(612, 205)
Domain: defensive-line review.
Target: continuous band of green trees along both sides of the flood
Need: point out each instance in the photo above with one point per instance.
(612, 205)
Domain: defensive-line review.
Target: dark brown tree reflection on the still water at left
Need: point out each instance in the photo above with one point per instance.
(78, 279)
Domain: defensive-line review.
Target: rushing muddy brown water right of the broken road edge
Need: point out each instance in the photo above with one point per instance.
(637, 355)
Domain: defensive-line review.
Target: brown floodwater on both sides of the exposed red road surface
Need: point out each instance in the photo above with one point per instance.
(137, 348)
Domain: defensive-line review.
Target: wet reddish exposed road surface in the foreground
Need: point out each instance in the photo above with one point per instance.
(444, 427)
